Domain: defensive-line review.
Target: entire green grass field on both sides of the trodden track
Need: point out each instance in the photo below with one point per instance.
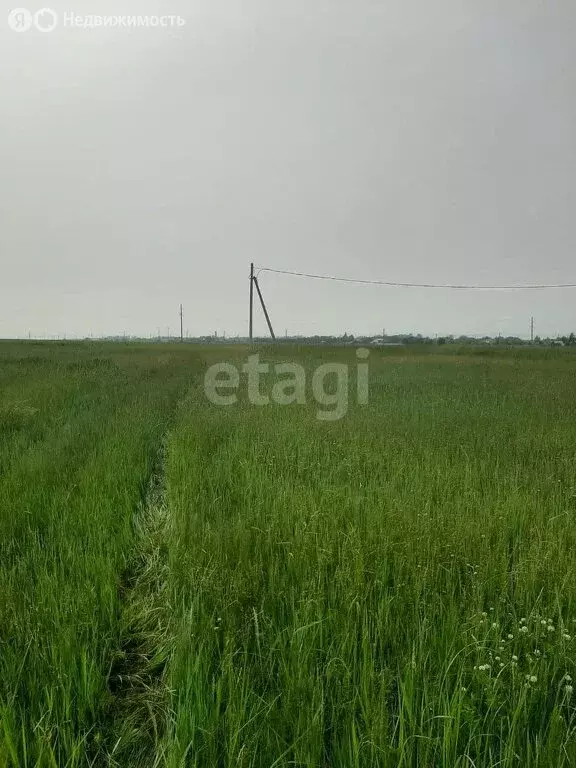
(183, 584)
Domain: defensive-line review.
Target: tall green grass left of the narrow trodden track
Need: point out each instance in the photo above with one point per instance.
(81, 428)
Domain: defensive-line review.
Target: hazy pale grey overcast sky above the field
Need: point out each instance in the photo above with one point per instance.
(395, 140)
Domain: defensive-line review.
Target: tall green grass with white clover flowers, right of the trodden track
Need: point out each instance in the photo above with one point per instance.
(394, 589)
